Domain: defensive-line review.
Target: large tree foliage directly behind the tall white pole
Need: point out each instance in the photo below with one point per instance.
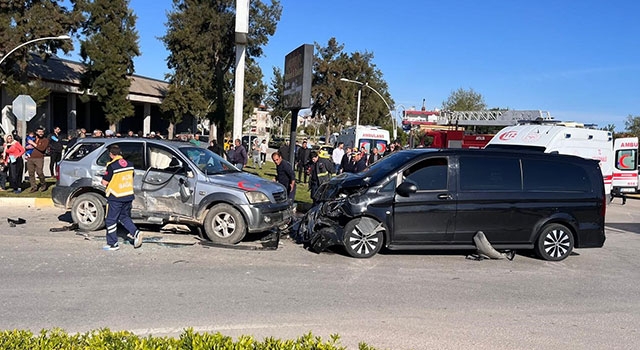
(200, 39)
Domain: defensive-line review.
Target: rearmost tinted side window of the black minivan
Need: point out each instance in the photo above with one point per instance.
(549, 175)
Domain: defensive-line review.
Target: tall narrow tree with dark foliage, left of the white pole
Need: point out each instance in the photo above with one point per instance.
(110, 44)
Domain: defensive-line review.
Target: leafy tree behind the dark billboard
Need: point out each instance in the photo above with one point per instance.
(336, 99)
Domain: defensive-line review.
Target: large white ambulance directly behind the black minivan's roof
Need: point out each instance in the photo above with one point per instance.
(559, 138)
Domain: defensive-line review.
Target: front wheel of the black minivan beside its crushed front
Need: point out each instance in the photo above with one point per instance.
(363, 237)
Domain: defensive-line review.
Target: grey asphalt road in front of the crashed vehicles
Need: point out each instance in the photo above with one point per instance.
(414, 300)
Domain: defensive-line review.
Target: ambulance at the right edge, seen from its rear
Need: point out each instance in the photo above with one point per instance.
(625, 171)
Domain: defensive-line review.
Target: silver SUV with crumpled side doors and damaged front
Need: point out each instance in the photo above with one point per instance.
(174, 182)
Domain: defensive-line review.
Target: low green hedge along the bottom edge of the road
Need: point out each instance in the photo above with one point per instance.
(105, 339)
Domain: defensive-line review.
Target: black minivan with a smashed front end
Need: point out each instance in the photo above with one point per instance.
(440, 199)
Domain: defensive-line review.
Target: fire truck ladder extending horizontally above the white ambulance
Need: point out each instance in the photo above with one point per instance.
(491, 118)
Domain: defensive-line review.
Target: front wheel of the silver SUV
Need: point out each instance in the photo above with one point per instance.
(224, 224)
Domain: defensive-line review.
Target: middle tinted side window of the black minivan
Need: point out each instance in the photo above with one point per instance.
(489, 173)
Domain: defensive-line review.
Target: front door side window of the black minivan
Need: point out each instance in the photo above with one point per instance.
(428, 175)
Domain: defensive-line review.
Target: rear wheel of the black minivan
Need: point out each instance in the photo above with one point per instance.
(555, 242)
